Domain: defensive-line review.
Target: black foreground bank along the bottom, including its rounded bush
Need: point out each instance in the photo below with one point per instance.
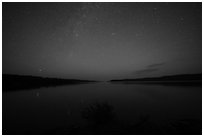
(101, 119)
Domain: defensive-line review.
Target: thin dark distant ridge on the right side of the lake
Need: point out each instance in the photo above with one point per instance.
(181, 77)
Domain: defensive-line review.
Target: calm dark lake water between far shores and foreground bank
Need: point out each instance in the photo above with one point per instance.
(61, 106)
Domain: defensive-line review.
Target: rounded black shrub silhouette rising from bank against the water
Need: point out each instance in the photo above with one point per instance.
(98, 113)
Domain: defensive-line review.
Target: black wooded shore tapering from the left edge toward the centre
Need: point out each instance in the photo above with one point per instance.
(17, 82)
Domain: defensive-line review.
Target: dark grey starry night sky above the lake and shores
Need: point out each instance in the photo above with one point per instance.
(102, 41)
